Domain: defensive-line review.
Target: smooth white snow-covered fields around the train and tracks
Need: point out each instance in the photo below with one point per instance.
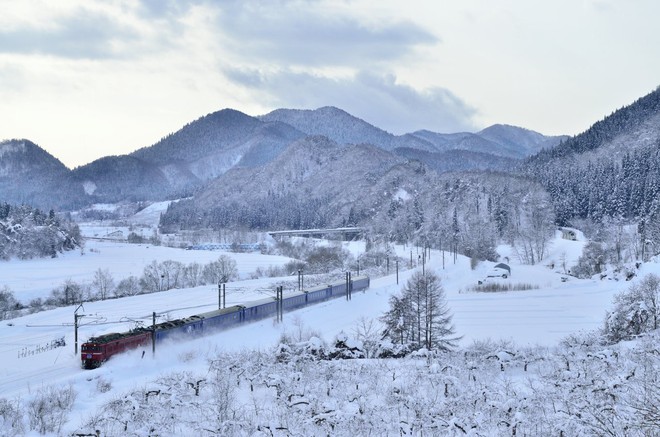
(539, 316)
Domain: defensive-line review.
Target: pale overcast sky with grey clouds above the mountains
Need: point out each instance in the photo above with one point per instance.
(85, 79)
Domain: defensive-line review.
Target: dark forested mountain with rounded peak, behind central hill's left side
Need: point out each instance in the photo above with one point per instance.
(185, 160)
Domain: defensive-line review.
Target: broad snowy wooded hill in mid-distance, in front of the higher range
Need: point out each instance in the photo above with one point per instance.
(316, 183)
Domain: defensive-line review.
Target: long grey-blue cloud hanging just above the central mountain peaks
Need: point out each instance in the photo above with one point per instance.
(377, 99)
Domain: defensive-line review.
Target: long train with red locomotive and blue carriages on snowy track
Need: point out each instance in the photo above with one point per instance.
(99, 349)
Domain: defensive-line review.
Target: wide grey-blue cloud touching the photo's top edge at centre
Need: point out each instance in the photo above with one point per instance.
(299, 34)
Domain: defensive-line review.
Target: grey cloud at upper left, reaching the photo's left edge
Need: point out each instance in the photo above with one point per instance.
(85, 35)
